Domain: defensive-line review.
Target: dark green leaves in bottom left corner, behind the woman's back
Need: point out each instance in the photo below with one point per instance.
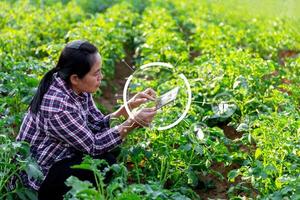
(15, 158)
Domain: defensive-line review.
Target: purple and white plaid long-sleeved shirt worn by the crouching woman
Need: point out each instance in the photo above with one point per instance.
(65, 123)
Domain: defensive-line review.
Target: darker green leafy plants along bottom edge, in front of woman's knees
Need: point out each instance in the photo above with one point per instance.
(118, 187)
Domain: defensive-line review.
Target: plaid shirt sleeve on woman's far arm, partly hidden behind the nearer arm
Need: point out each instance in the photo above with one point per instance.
(96, 119)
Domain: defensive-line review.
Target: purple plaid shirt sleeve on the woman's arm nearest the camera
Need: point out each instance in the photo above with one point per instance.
(69, 127)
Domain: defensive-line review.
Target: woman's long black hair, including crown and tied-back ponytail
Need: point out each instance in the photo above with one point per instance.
(76, 58)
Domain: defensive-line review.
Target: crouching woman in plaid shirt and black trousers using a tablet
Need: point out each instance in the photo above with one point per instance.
(63, 122)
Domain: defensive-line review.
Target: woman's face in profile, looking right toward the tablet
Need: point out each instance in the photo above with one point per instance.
(91, 81)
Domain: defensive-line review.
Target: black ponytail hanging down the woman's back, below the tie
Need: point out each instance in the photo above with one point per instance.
(42, 89)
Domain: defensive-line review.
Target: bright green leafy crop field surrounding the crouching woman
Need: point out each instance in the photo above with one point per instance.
(240, 138)
